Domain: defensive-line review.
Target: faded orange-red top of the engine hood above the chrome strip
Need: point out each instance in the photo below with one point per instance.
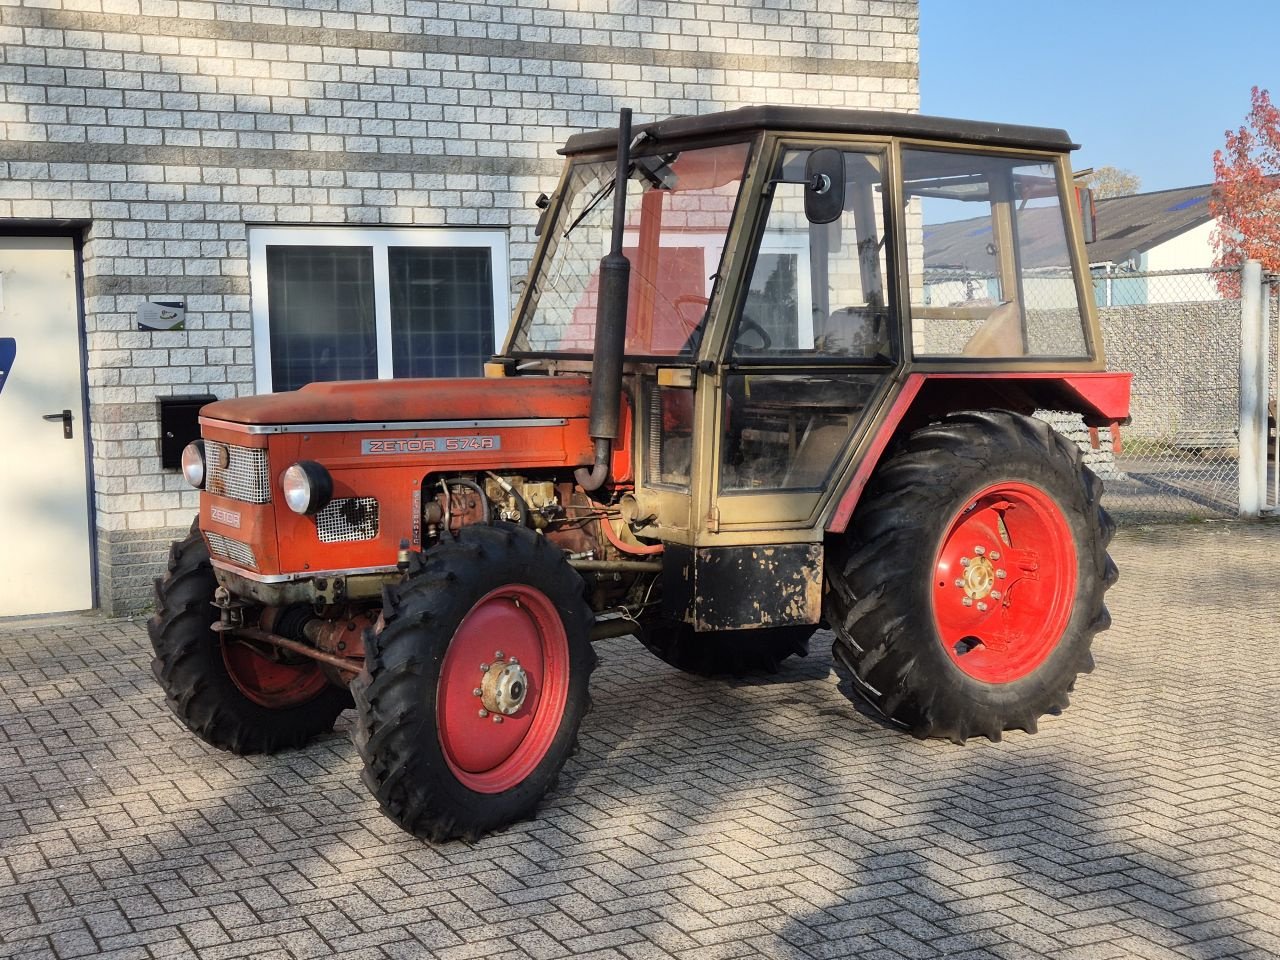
(412, 401)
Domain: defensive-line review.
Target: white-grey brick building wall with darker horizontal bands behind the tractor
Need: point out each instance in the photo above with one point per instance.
(168, 126)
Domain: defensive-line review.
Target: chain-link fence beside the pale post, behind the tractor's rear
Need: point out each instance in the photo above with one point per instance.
(1180, 335)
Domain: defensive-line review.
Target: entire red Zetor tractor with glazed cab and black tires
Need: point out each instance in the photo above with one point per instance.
(774, 371)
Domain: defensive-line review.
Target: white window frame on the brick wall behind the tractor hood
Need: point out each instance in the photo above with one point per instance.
(381, 240)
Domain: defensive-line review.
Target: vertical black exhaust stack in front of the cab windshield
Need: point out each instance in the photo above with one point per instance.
(611, 326)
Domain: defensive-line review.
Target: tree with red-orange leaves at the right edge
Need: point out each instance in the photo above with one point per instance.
(1246, 200)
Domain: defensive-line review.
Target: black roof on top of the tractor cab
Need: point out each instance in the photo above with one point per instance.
(810, 120)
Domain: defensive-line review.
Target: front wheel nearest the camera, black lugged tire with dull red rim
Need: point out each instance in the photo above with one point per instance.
(440, 764)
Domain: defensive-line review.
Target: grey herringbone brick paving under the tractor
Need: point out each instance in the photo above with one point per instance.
(701, 820)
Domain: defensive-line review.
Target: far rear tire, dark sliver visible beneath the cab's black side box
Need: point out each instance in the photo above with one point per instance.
(730, 653)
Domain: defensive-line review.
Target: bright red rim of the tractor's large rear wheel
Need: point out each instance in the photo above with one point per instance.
(1004, 583)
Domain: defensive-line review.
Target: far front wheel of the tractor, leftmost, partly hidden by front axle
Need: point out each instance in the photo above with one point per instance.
(226, 692)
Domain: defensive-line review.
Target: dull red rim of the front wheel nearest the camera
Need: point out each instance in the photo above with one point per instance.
(490, 756)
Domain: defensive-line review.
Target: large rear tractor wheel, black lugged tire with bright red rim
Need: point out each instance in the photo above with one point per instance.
(968, 588)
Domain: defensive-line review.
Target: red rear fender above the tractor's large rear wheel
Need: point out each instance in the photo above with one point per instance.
(1101, 399)
